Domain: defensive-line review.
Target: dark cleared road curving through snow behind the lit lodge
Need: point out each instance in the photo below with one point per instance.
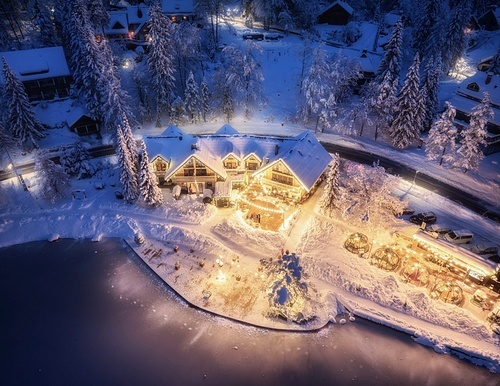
(393, 167)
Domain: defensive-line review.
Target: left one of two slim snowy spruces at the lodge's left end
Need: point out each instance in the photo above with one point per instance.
(128, 168)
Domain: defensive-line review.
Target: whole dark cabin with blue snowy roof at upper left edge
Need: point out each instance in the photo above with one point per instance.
(44, 72)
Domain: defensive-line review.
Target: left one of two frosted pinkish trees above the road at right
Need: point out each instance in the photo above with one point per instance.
(442, 136)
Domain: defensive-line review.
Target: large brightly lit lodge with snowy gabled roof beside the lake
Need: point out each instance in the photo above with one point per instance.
(288, 166)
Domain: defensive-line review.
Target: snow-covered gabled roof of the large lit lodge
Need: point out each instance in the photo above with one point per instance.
(302, 154)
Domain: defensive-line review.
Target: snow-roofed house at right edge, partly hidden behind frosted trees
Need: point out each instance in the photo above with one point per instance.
(469, 94)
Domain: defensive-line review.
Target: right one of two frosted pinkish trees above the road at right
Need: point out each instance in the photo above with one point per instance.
(473, 138)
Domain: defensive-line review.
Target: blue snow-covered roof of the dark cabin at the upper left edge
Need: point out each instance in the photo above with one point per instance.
(39, 63)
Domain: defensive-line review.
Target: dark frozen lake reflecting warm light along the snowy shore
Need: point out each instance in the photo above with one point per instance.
(75, 312)
